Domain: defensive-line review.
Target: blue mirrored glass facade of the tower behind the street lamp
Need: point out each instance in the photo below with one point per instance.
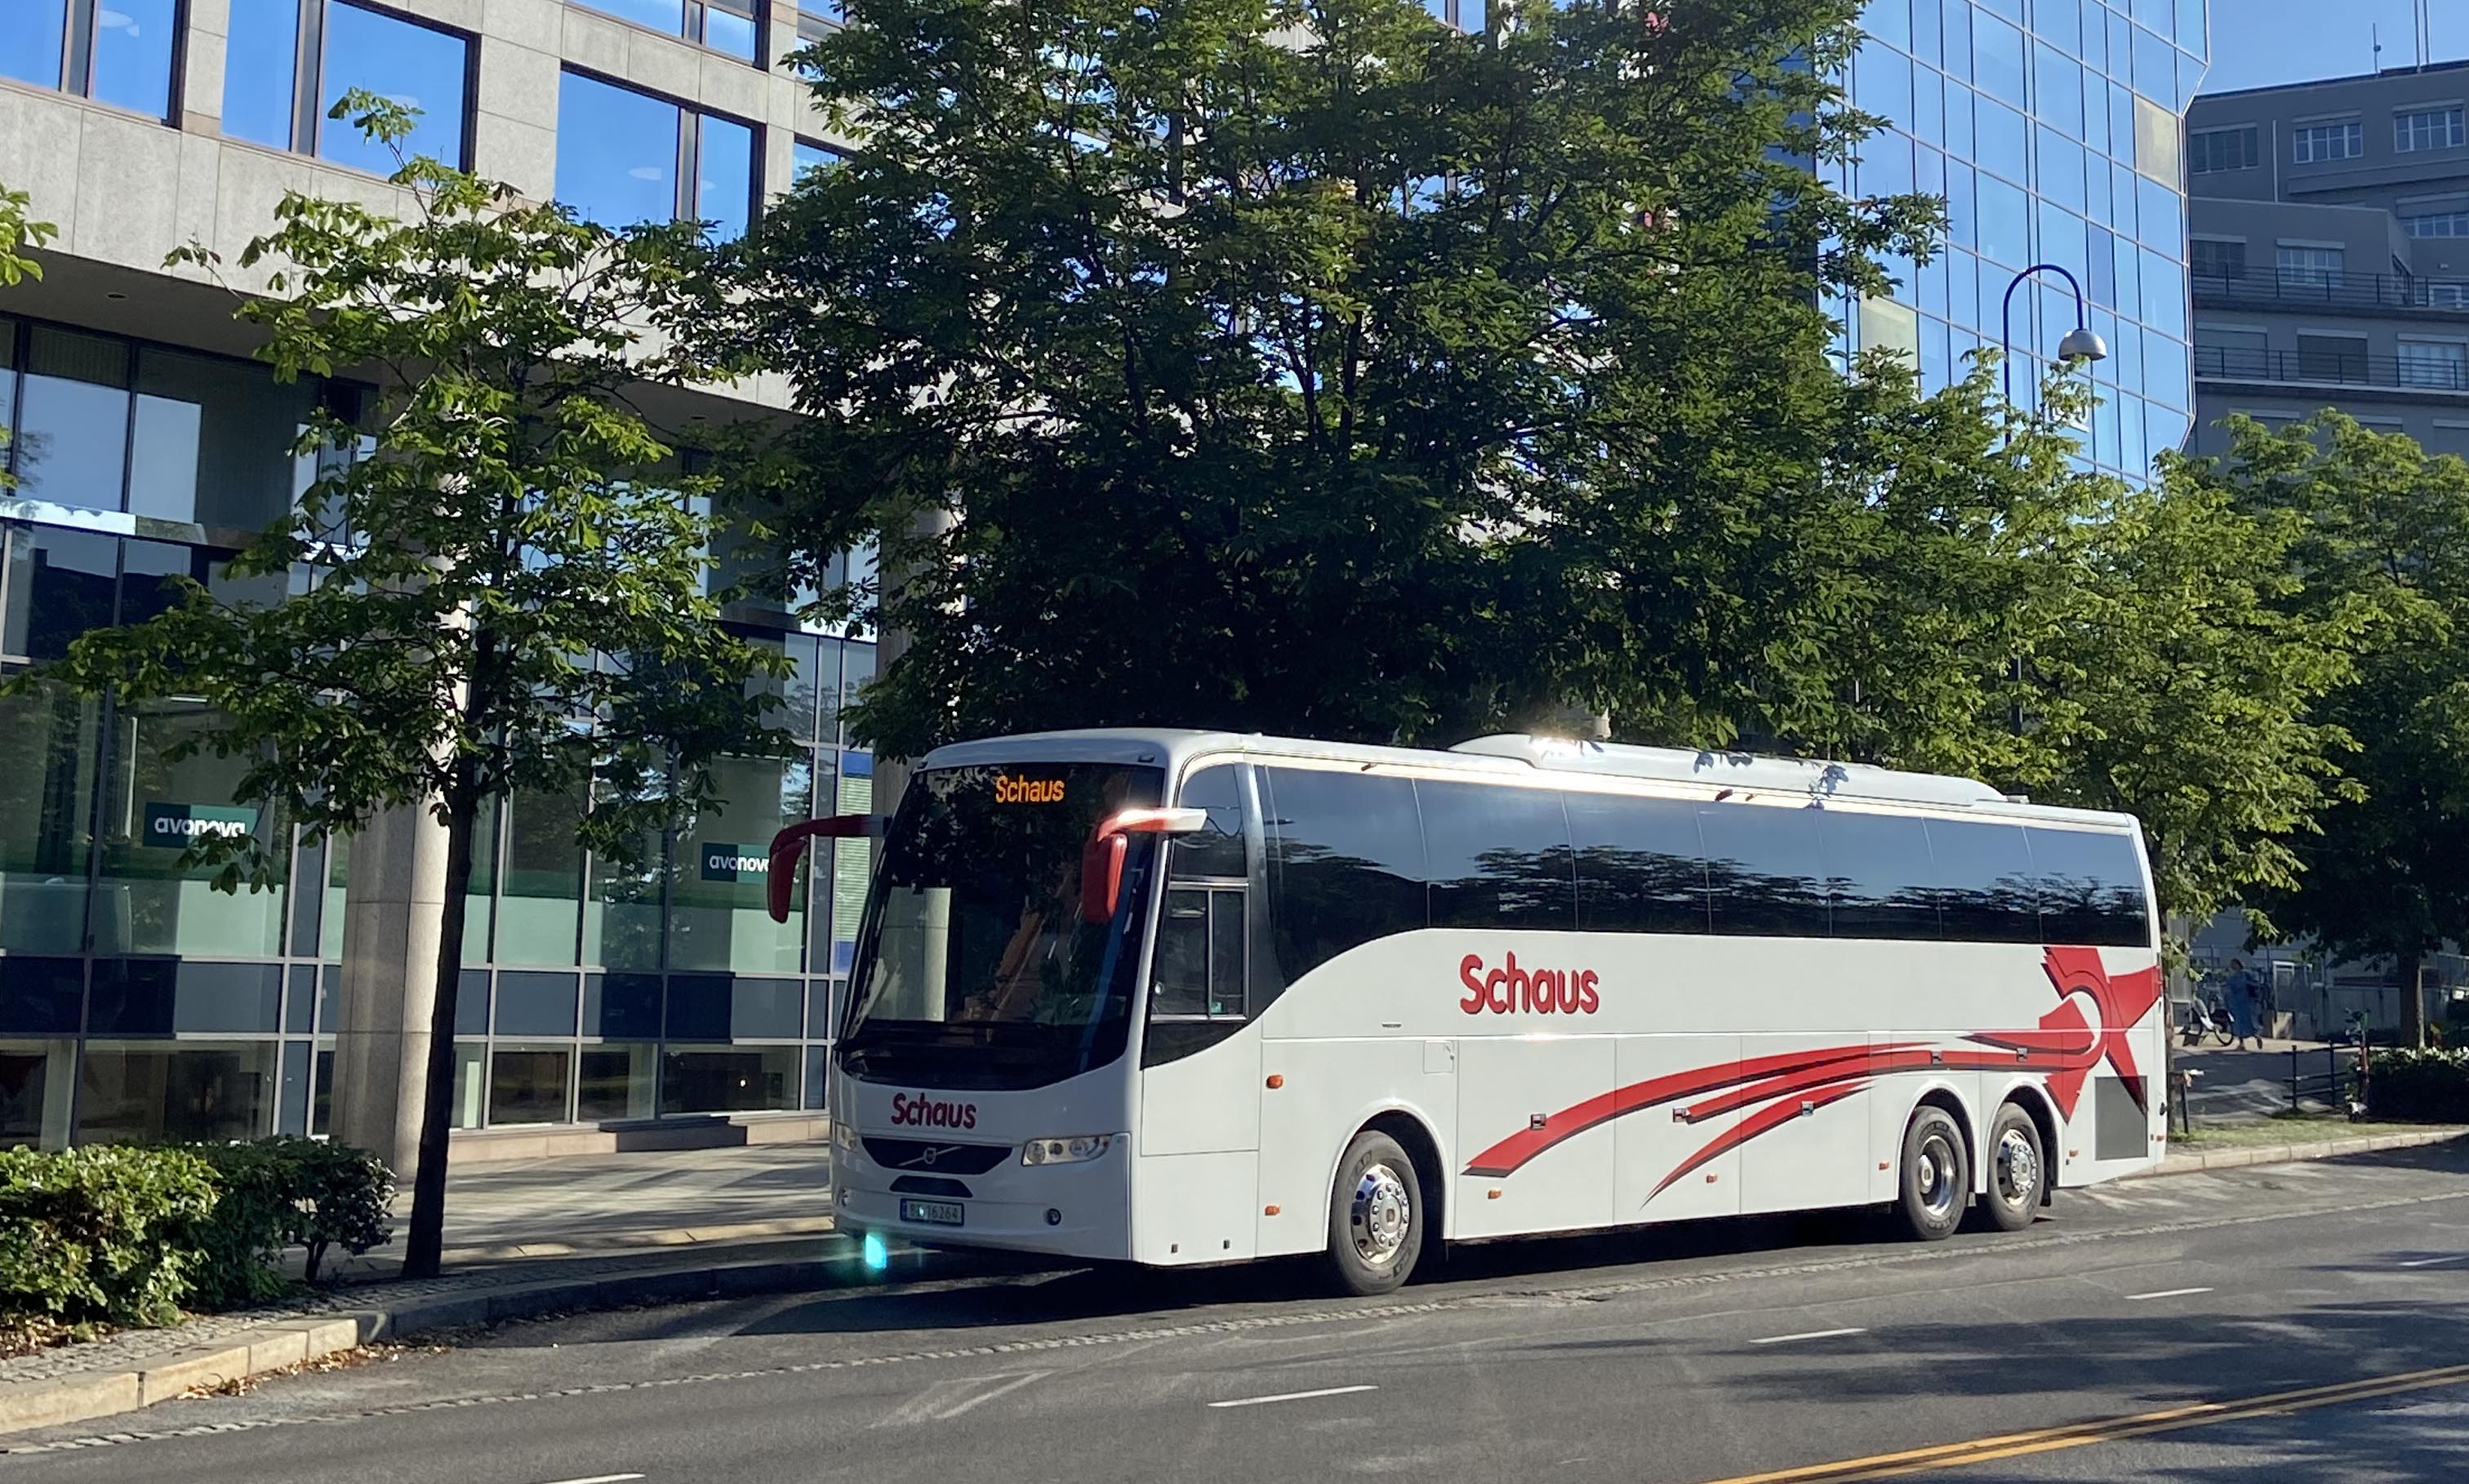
(2055, 135)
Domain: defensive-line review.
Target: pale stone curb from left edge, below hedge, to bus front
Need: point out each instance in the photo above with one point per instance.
(100, 1394)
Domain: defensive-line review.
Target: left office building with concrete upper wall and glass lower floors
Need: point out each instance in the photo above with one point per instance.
(135, 999)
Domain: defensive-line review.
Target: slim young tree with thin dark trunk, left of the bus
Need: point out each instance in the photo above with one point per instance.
(502, 591)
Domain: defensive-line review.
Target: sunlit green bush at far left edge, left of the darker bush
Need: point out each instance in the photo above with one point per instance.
(102, 1233)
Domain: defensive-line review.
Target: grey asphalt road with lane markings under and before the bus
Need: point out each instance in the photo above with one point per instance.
(2300, 1322)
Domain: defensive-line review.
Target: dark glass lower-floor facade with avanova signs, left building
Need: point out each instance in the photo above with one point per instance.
(142, 1004)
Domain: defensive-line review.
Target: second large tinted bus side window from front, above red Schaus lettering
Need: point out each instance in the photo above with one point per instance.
(1500, 858)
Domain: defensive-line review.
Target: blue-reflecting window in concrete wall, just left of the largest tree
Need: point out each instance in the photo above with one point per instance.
(628, 157)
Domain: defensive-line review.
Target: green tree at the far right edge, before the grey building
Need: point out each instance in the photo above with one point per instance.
(2384, 535)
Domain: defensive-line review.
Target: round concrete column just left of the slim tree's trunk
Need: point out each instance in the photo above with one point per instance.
(394, 915)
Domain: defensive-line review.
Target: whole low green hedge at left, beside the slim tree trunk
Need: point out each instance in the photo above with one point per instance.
(135, 1236)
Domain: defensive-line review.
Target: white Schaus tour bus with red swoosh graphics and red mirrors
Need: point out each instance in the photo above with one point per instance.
(1194, 999)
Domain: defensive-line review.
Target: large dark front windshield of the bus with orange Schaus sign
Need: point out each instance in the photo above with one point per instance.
(974, 967)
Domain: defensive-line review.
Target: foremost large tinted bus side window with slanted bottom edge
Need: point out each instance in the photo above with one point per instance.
(1344, 868)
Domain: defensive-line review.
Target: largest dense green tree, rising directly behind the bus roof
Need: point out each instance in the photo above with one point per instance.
(1315, 367)
